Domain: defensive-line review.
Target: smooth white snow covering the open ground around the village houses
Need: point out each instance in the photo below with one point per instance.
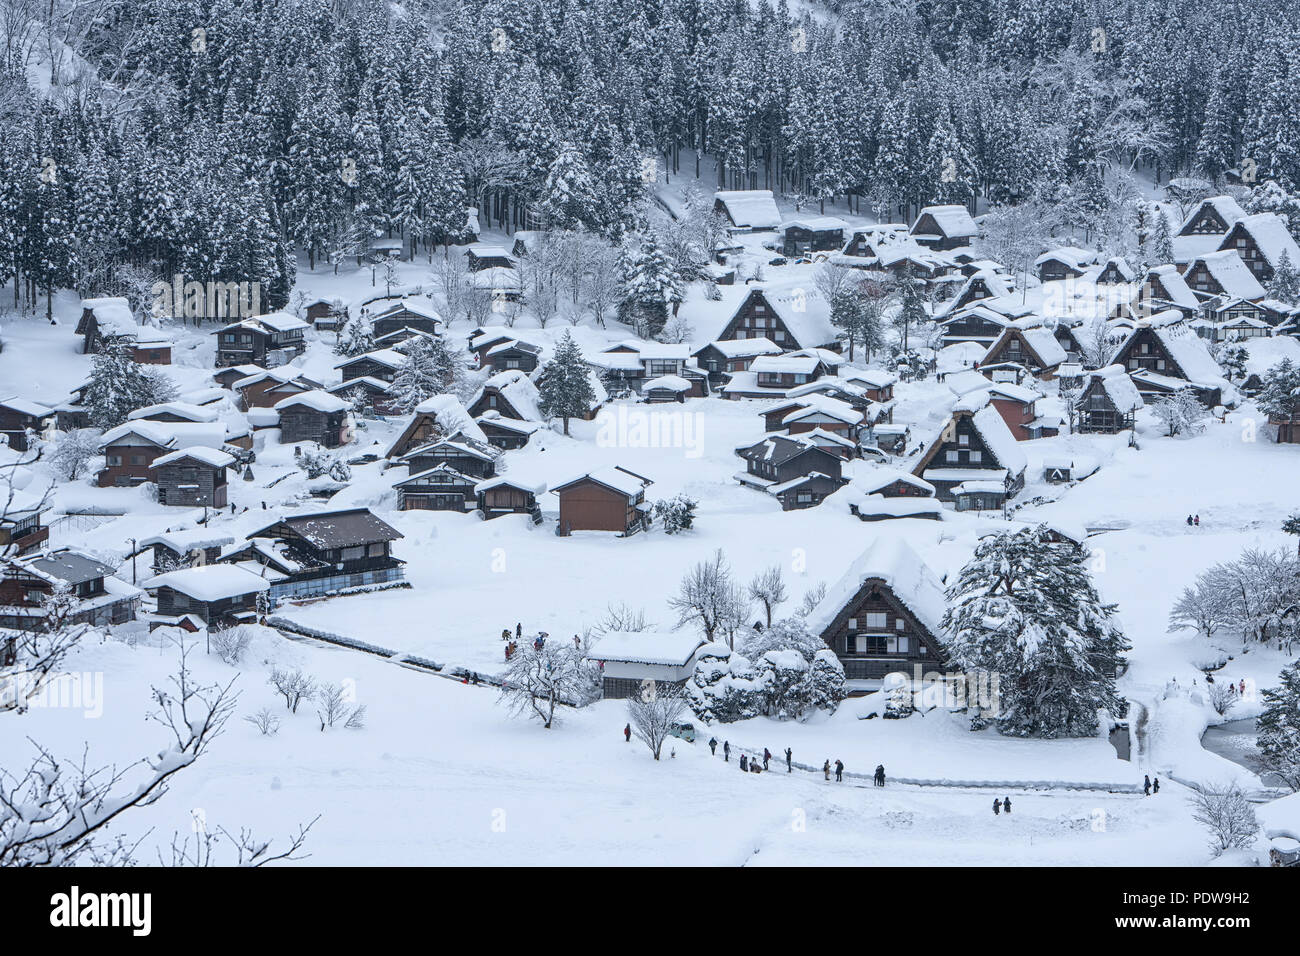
(443, 775)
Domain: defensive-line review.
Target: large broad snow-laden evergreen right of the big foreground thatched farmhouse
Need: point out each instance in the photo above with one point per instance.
(1026, 609)
